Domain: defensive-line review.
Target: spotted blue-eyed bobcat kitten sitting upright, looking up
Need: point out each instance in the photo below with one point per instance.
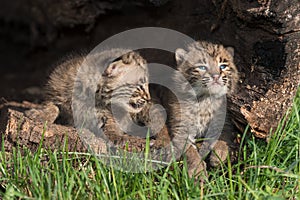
(206, 74)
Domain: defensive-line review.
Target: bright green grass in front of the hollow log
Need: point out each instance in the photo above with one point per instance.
(264, 171)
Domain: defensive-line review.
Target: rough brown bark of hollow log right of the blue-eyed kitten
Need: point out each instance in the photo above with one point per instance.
(264, 105)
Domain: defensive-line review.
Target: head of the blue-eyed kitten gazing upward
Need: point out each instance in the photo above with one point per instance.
(208, 67)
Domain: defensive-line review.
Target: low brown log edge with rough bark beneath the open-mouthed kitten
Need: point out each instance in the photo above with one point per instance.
(31, 125)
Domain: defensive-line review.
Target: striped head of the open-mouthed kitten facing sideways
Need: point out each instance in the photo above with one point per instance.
(126, 82)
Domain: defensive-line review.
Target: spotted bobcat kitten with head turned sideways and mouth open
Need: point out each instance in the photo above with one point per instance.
(80, 84)
